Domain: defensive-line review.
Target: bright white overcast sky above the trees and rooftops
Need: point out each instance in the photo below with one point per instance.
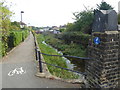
(51, 12)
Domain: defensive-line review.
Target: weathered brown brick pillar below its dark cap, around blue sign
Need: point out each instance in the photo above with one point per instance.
(103, 69)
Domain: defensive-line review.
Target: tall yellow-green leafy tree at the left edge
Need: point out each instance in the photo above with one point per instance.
(5, 21)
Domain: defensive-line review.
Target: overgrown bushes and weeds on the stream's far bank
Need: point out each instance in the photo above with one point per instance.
(75, 45)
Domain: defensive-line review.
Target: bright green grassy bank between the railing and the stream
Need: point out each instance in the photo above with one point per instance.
(59, 61)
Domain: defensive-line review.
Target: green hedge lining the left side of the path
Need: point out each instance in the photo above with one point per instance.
(12, 40)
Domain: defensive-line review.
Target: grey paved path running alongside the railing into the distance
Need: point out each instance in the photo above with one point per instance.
(23, 56)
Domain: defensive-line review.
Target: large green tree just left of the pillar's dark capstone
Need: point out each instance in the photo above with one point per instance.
(83, 21)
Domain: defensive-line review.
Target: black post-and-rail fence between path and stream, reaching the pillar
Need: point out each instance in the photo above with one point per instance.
(38, 57)
